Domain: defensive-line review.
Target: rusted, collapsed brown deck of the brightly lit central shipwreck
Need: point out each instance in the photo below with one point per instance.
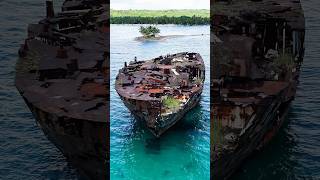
(151, 80)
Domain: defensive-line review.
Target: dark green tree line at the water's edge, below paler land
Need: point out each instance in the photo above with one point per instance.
(182, 20)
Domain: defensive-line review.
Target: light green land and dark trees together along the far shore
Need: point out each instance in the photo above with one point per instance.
(183, 17)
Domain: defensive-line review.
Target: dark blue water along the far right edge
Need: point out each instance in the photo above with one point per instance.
(295, 151)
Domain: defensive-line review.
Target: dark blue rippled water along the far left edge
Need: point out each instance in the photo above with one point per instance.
(25, 152)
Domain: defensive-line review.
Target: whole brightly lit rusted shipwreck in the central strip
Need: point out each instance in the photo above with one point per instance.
(161, 90)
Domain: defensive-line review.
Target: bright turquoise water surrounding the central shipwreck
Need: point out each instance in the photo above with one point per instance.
(184, 151)
